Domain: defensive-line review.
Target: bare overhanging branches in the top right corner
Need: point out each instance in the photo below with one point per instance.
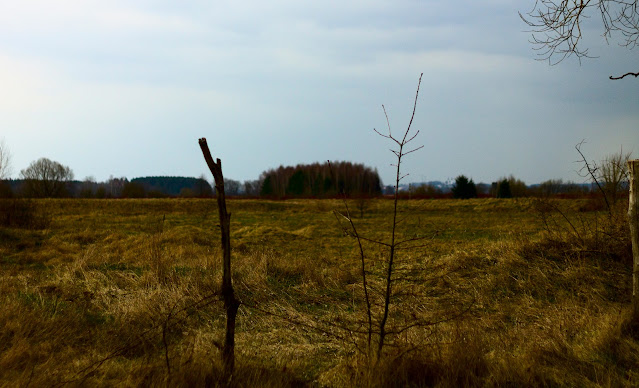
(557, 26)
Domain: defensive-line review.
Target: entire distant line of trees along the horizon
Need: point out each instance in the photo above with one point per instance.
(45, 178)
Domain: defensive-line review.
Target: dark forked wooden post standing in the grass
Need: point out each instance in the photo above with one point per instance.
(231, 303)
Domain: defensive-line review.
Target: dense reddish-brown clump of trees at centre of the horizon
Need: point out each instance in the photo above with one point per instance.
(320, 180)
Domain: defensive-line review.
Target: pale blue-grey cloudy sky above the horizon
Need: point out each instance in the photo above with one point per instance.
(125, 88)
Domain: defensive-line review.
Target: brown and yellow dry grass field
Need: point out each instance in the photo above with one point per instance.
(507, 293)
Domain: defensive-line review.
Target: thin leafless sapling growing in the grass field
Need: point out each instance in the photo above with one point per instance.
(393, 289)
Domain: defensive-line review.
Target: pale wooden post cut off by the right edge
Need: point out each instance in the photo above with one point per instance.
(633, 219)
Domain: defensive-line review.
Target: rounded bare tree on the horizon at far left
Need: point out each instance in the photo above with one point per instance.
(46, 178)
